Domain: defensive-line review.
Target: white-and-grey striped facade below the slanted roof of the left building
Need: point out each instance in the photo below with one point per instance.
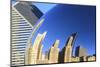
(20, 31)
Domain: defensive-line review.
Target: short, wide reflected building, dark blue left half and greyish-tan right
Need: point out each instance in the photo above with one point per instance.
(80, 51)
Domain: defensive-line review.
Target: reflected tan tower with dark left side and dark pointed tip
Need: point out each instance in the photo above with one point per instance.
(66, 53)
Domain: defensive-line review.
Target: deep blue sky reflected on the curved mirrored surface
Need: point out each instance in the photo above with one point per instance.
(63, 20)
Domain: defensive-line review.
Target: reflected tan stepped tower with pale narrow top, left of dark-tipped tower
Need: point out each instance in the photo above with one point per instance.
(54, 53)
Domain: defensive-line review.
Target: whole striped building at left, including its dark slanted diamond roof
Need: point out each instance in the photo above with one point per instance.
(23, 21)
